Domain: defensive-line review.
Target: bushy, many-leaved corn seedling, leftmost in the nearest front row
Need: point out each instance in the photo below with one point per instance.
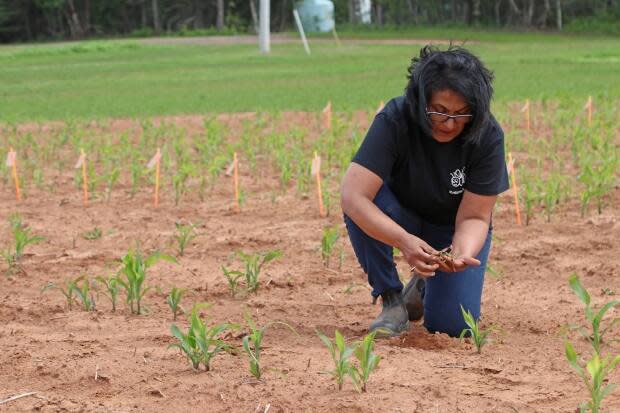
(201, 343)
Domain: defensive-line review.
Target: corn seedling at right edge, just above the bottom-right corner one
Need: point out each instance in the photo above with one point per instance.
(594, 317)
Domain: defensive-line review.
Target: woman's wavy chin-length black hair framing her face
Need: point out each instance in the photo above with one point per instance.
(455, 69)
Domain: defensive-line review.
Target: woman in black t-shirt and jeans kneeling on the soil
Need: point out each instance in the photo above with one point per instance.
(426, 177)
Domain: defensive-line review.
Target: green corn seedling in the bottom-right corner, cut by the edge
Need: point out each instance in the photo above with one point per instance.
(594, 375)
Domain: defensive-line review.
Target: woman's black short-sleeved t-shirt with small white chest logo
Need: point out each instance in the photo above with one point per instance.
(428, 176)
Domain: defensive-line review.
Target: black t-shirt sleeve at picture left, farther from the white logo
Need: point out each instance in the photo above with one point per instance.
(378, 151)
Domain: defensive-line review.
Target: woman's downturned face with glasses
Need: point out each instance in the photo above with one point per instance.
(451, 103)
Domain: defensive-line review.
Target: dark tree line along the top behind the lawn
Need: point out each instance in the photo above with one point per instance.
(36, 20)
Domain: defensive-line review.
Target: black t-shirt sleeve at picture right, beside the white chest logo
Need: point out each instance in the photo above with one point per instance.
(487, 173)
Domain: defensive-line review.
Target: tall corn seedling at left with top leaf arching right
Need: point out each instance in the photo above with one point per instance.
(134, 268)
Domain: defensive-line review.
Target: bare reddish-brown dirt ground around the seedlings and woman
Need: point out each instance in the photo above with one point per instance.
(102, 361)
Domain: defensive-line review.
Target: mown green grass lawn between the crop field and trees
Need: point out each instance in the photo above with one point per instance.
(128, 79)
